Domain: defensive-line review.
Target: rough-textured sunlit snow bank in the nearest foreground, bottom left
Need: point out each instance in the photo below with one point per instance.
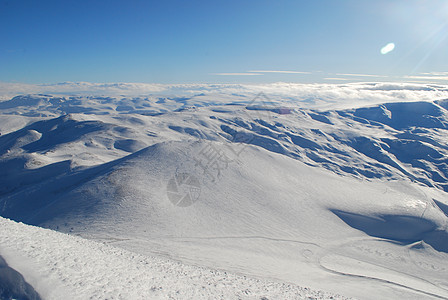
(61, 266)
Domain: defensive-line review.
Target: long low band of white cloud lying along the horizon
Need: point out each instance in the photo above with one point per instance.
(319, 96)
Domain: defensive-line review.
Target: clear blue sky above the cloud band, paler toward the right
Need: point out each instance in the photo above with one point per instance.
(223, 41)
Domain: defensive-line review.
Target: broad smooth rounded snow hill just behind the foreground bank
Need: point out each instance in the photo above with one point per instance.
(285, 224)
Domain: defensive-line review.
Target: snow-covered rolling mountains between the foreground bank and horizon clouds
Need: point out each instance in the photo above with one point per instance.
(352, 201)
